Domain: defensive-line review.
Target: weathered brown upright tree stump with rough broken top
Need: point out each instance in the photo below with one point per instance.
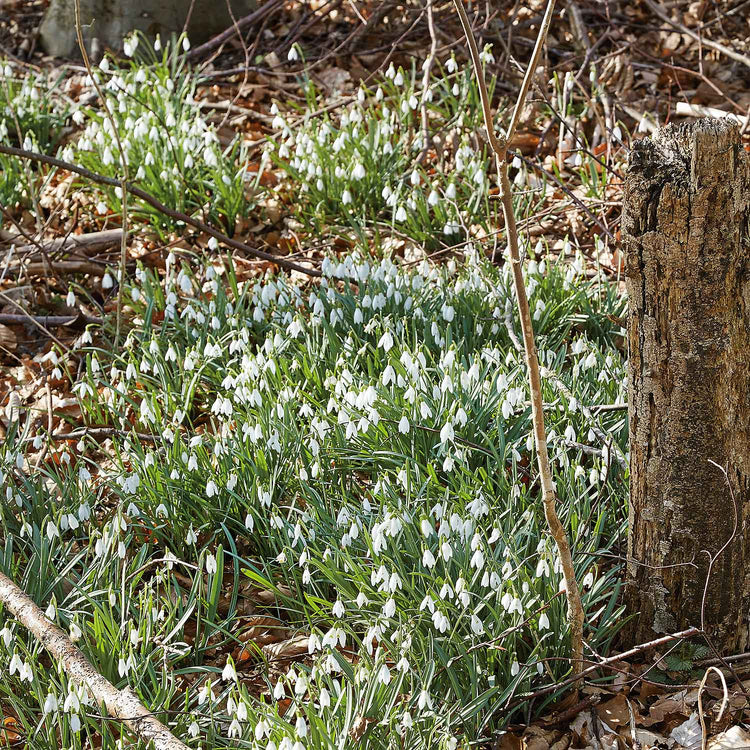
(685, 232)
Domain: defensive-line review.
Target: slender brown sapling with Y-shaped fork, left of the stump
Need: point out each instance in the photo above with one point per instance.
(549, 497)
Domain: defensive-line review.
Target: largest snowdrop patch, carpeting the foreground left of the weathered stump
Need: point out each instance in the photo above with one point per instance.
(354, 459)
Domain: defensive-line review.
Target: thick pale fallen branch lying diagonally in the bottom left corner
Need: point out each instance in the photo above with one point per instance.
(121, 704)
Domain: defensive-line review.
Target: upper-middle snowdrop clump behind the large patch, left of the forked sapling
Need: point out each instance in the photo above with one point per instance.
(365, 169)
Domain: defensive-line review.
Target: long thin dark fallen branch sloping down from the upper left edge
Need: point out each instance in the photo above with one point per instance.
(158, 205)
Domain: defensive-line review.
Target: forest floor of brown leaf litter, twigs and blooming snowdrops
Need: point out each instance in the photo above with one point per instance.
(280, 480)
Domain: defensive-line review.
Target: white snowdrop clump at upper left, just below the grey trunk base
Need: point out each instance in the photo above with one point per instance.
(170, 150)
